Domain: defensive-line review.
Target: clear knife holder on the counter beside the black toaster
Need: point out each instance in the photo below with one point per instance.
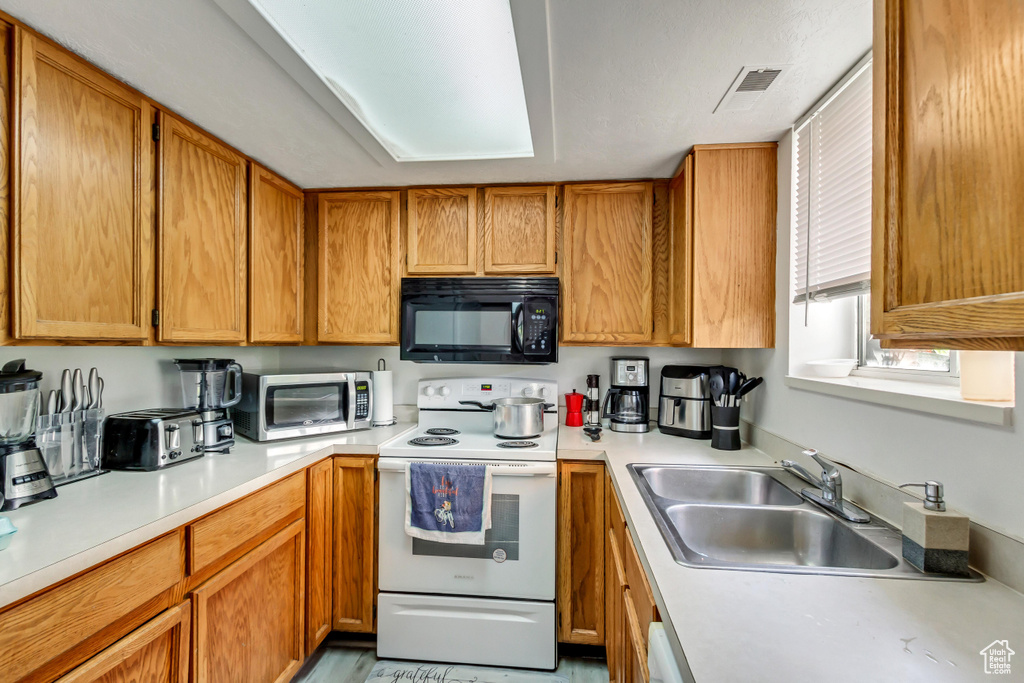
(70, 444)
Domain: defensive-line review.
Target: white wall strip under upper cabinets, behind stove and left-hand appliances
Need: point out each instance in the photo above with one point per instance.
(146, 377)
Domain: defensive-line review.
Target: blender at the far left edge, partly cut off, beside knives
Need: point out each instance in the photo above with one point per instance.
(23, 473)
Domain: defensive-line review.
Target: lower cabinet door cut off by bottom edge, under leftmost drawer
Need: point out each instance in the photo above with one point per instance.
(156, 653)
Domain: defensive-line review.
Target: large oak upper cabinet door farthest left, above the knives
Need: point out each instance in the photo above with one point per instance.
(82, 221)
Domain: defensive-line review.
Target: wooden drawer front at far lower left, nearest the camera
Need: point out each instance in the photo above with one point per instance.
(36, 633)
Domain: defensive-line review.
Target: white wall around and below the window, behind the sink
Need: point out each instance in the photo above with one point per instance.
(983, 466)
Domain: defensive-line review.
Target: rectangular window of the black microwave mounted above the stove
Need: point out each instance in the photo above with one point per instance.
(486, 326)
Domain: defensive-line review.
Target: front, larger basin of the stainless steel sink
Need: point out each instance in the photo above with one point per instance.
(775, 536)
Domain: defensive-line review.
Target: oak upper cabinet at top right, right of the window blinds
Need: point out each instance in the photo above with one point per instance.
(948, 266)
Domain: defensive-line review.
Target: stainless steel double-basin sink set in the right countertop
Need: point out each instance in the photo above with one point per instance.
(751, 519)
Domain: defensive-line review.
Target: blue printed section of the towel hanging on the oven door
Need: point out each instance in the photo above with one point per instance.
(447, 497)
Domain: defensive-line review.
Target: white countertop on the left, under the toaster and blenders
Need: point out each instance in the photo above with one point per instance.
(93, 521)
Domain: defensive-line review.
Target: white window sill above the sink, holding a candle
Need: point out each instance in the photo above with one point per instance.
(925, 398)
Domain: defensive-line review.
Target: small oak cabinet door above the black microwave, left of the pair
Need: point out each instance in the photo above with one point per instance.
(442, 232)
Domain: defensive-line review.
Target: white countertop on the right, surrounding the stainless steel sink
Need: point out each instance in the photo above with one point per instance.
(747, 626)
